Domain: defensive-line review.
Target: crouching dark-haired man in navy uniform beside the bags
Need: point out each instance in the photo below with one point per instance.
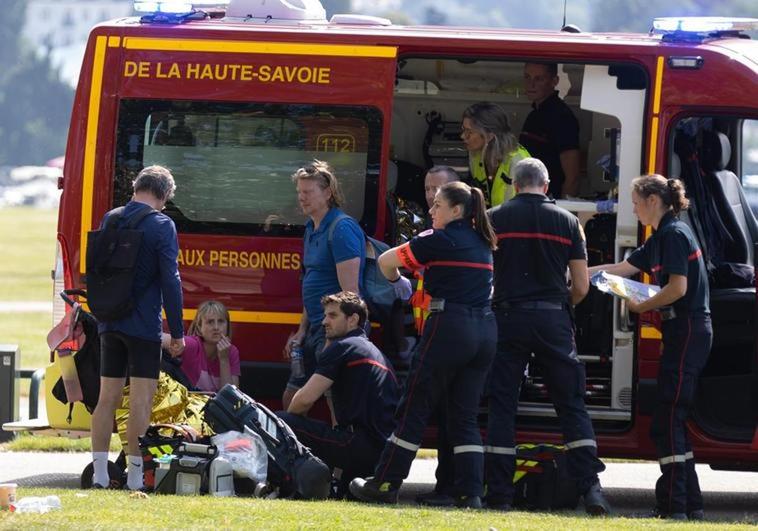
(364, 391)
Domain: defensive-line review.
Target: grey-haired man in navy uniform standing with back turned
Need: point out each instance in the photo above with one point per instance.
(538, 241)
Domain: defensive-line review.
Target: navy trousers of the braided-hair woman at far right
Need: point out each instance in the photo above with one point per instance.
(686, 344)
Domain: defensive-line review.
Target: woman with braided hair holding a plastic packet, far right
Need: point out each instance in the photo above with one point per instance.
(674, 260)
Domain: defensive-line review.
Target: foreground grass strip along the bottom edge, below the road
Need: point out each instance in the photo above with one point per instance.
(117, 510)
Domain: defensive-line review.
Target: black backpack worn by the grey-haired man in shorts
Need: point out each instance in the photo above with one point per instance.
(111, 262)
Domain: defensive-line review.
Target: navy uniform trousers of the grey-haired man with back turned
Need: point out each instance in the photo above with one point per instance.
(549, 334)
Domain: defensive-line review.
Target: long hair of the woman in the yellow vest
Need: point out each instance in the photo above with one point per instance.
(489, 117)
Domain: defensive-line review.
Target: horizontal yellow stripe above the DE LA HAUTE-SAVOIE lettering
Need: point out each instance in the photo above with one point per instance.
(277, 48)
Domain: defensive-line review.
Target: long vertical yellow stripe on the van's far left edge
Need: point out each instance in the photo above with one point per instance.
(90, 146)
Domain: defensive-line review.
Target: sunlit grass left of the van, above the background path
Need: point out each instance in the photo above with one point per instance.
(28, 243)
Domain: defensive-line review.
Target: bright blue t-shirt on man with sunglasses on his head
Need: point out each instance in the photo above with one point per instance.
(320, 259)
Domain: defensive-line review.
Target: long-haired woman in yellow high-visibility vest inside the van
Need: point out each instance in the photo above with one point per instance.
(493, 150)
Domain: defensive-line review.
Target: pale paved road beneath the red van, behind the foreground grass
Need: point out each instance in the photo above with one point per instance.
(730, 496)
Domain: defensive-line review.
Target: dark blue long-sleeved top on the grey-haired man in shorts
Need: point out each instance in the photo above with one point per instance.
(156, 281)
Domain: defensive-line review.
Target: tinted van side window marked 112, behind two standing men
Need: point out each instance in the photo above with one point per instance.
(233, 161)
